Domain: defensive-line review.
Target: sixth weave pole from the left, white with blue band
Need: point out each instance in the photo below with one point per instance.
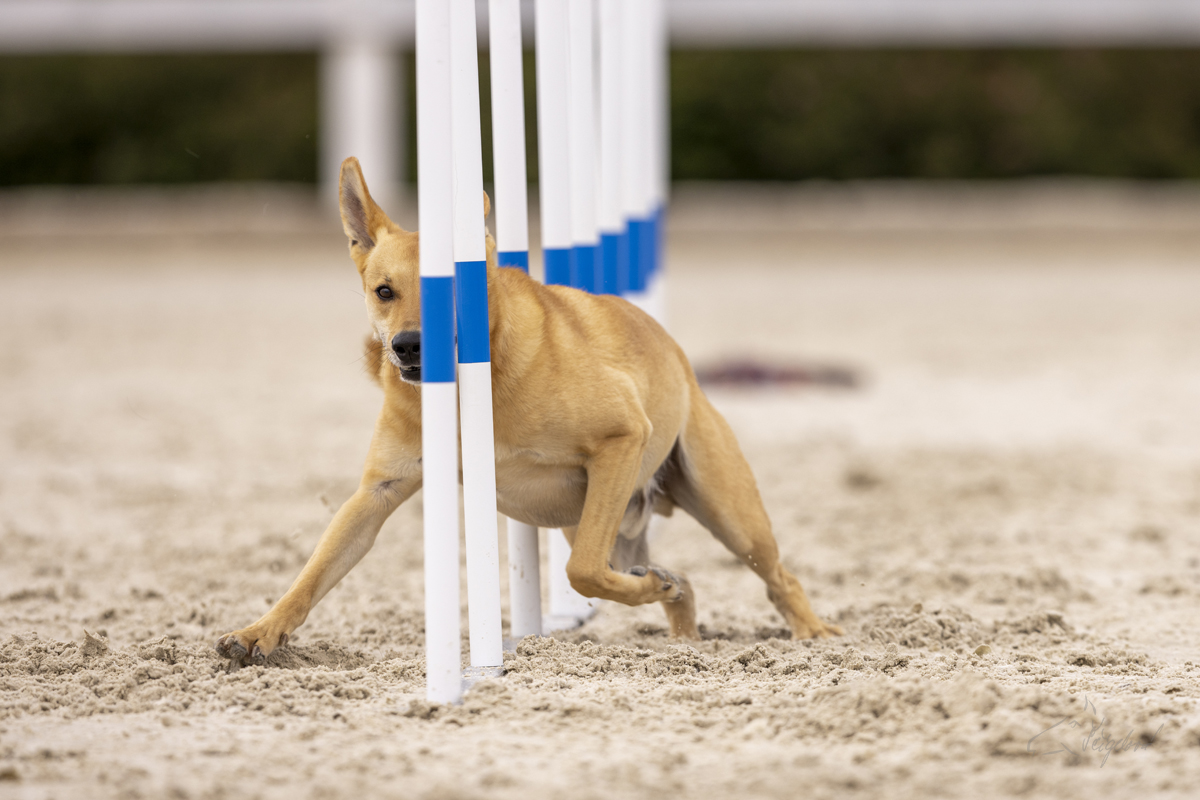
(615, 274)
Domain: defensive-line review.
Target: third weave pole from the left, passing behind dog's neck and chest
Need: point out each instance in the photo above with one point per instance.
(513, 251)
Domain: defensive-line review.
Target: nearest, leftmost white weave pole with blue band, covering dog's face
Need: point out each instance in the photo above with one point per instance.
(440, 407)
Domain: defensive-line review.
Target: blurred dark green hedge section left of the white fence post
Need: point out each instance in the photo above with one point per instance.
(129, 119)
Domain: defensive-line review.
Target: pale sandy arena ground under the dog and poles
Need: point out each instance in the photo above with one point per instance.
(1006, 519)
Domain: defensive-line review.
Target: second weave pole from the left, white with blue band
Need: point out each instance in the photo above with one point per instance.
(475, 350)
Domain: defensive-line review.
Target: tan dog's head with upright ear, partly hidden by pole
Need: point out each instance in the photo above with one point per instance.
(388, 261)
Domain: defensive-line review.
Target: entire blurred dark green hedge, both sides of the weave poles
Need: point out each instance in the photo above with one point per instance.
(736, 116)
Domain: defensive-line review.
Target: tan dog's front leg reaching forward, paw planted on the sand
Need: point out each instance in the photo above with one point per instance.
(349, 538)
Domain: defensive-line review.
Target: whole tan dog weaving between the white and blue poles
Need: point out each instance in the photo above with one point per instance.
(599, 423)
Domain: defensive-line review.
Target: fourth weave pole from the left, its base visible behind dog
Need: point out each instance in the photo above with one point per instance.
(568, 609)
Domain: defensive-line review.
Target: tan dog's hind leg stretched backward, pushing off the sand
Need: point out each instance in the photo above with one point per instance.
(709, 478)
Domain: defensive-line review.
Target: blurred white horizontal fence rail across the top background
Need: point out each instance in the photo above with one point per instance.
(142, 26)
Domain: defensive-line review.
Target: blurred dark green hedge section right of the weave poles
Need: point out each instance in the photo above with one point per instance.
(964, 115)
